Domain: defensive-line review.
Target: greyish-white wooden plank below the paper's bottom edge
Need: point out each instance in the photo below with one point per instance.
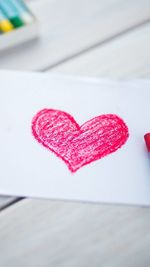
(44, 233)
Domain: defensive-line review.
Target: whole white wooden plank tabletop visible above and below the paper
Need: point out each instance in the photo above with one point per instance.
(107, 38)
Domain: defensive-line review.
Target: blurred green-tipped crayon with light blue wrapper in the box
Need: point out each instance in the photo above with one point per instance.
(11, 13)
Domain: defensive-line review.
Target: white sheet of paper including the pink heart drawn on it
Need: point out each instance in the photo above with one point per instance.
(28, 167)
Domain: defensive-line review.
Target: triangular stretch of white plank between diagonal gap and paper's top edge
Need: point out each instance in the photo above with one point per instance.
(125, 57)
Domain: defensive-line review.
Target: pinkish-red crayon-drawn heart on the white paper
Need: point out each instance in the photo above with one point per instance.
(79, 145)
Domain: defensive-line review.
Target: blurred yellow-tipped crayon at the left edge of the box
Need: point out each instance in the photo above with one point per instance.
(5, 24)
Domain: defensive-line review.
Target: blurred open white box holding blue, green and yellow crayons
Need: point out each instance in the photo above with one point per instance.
(17, 23)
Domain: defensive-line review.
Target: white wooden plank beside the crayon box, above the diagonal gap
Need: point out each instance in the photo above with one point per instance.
(68, 27)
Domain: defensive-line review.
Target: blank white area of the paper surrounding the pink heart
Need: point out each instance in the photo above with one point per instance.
(29, 169)
